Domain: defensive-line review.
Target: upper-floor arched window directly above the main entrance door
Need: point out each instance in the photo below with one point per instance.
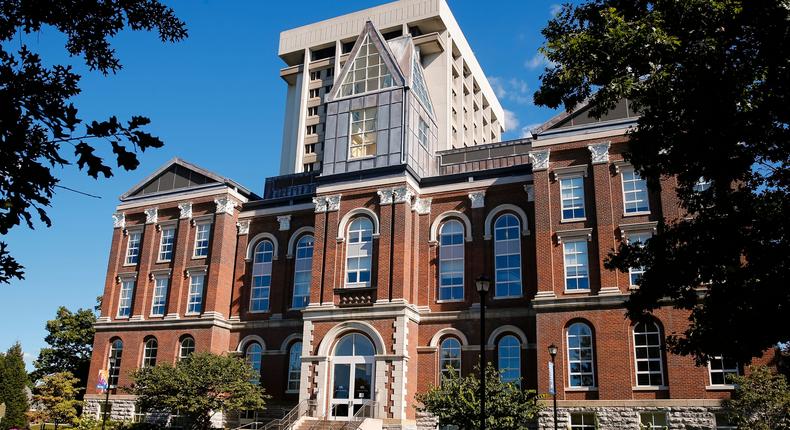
(359, 253)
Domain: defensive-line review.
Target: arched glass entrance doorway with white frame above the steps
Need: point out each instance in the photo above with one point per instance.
(353, 365)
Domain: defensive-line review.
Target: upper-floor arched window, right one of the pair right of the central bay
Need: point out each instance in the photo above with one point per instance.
(507, 256)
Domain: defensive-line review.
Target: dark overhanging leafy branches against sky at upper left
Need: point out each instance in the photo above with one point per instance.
(40, 128)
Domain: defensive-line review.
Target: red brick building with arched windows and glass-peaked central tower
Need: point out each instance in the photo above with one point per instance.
(357, 286)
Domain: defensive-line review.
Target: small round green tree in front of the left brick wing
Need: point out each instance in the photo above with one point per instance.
(198, 387)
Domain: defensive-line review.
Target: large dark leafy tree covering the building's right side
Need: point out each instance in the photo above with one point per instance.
(710, 79)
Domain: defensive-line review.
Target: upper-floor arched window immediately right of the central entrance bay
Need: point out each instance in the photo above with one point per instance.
(451, 260)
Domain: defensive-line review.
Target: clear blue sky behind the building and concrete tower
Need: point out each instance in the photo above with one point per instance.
(216, 100)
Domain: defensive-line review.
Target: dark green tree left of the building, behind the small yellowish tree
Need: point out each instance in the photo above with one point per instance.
(70, 341)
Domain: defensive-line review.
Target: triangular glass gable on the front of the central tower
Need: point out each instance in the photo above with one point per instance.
(370, 66)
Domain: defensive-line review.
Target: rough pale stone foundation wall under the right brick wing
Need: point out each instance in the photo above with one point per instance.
(615, 418)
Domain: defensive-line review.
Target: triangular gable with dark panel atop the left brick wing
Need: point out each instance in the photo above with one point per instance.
(176, 175)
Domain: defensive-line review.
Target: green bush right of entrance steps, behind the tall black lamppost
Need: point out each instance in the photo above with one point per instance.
(457, 402)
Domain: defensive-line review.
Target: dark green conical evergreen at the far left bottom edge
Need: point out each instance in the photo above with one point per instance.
(13, 381)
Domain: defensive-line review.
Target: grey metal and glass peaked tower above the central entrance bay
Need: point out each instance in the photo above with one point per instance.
(379, 112)
